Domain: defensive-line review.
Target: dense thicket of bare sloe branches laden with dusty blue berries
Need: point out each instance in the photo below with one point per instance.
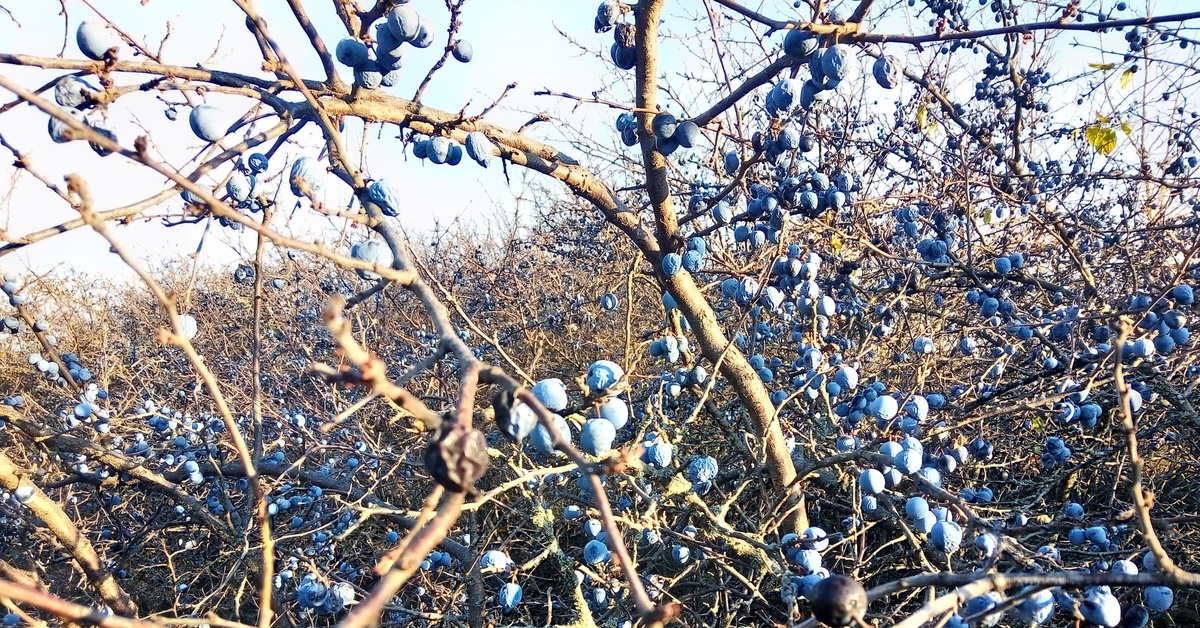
(938, 344)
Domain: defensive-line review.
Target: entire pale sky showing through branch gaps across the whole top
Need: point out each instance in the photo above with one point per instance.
(514, 41)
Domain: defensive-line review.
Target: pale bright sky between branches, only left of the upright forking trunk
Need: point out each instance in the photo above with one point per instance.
(514, 41)
